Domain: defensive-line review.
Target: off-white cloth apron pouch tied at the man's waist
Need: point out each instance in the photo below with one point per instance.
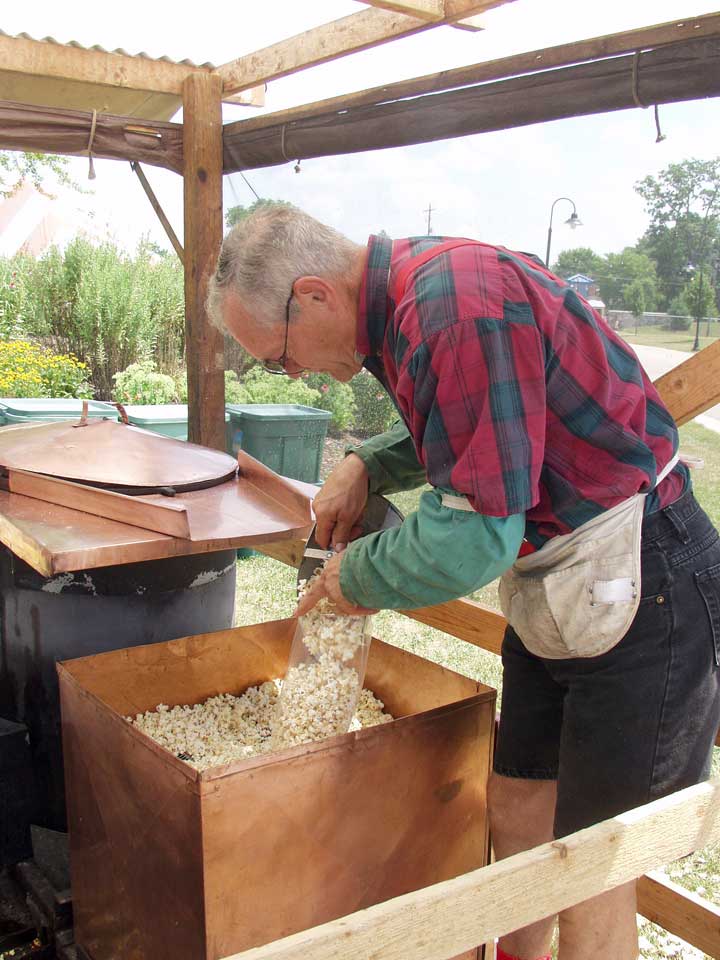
(579, 597)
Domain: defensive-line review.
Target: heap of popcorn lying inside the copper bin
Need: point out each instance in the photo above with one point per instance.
(226, 728)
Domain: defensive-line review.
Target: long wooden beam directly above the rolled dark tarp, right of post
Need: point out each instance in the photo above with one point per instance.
(516, 65)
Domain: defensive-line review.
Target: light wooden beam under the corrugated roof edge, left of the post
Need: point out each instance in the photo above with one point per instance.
(60, 61)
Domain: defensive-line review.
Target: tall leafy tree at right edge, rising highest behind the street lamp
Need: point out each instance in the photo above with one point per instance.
(683, 203)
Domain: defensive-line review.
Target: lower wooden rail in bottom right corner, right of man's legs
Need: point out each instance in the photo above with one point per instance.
(680, 912)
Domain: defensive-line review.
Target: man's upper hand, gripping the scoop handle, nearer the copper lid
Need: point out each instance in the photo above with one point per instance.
(340, 503)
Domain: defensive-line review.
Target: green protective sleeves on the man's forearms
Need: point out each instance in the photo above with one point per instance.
(437, 554)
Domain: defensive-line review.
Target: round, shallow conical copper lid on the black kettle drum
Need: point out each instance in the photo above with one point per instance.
(115, 455)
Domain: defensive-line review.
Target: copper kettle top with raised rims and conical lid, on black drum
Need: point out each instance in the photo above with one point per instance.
(64, 502)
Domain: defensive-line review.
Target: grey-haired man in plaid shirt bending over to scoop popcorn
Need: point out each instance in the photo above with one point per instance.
(552, 462)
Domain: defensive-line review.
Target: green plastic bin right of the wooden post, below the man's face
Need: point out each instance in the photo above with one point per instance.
(286, 437)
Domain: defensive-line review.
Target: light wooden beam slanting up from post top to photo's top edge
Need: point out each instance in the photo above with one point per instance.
(329, 41)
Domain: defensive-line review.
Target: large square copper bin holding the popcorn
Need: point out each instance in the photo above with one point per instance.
(172, 864)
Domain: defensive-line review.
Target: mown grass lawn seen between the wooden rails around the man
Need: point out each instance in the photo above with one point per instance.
(266, 591)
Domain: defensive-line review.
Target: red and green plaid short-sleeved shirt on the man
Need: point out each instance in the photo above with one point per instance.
(516, 392)
